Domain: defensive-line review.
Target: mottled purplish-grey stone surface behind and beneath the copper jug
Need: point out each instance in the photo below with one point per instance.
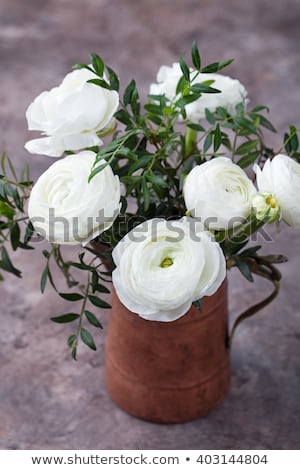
(47, 401)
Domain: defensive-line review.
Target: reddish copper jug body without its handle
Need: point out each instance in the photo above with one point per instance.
(169, 372)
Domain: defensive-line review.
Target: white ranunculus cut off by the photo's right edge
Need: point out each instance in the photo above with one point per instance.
(281, 177)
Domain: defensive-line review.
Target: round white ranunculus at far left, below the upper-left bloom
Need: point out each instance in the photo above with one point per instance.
(67, 209)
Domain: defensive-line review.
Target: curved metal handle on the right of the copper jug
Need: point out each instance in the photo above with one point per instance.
(263, 268)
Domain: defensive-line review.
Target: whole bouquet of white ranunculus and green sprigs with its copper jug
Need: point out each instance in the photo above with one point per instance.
(161, 198)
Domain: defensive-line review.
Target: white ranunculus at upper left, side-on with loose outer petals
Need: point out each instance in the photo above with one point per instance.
(70, 115)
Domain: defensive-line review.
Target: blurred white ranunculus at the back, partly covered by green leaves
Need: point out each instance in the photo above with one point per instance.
(232, 91)
